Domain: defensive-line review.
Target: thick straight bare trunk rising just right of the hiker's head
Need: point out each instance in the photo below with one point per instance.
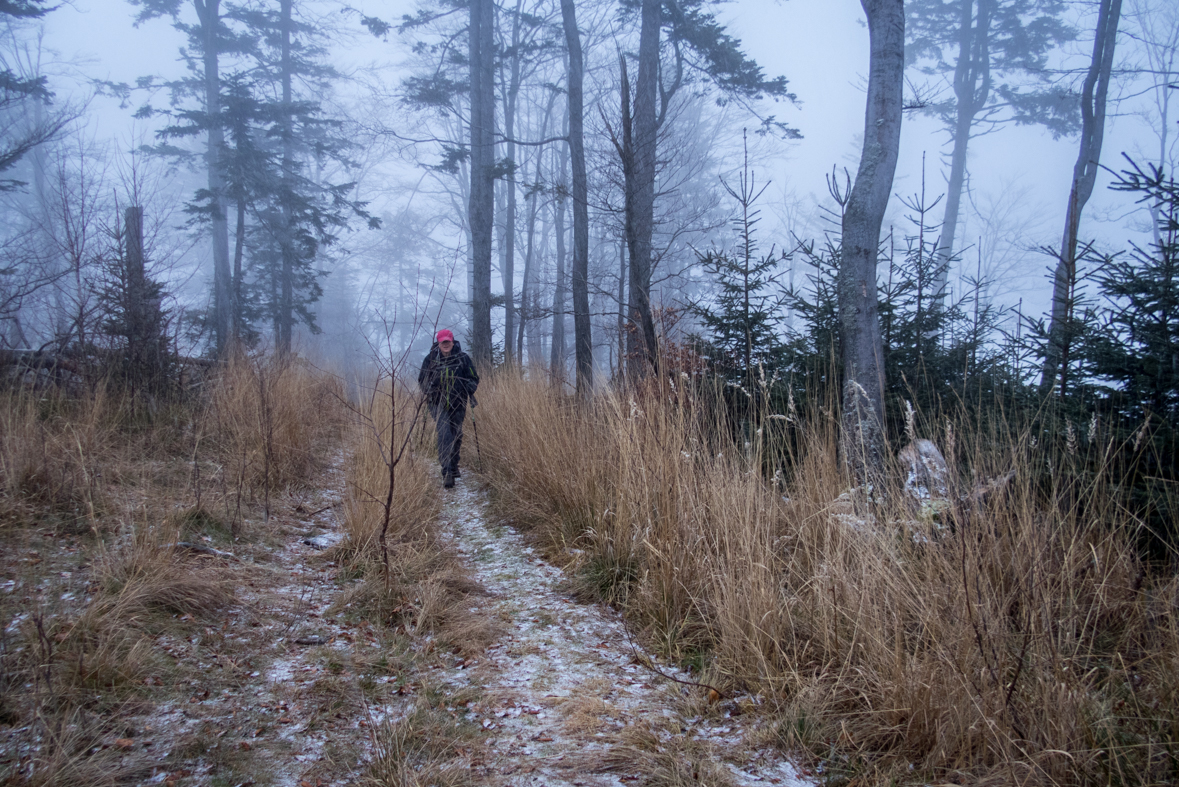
(482, 208)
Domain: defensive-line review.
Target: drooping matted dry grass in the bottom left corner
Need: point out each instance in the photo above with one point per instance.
(90, 666)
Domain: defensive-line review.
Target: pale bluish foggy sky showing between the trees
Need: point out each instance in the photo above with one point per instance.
(401, 280)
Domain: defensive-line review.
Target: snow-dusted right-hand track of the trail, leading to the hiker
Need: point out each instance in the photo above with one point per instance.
(565, 695)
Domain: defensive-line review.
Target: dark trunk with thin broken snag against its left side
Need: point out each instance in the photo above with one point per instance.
(641, 191)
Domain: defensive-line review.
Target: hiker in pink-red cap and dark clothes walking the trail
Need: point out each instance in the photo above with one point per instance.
(449, 381)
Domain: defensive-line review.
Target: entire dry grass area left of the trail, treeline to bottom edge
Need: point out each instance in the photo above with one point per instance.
(95, 494)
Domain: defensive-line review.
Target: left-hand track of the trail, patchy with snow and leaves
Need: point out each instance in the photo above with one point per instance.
(274, 723)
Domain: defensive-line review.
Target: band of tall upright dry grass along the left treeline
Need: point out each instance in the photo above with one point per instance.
(256, 428)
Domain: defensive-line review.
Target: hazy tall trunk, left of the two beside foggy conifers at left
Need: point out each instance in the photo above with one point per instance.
(209, 14)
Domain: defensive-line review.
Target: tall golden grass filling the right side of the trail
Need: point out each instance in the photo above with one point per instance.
(1016, 639)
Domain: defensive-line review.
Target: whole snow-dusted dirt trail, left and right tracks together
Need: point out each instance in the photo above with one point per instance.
(289, 689)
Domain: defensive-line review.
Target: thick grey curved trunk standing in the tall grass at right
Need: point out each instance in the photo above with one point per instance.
(864, 385)
